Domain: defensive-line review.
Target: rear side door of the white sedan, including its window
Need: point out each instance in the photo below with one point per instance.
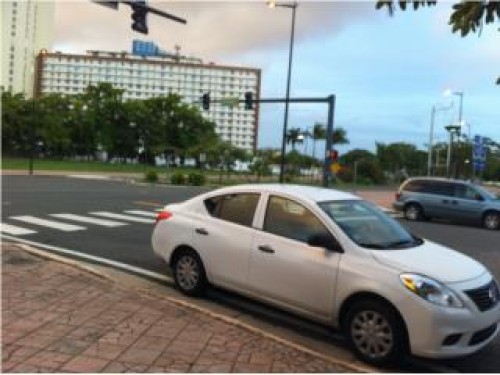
(226, 237)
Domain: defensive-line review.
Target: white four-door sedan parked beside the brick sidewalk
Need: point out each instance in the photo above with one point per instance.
(334, 258)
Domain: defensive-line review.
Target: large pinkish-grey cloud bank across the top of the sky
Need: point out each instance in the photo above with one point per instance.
(213, 29)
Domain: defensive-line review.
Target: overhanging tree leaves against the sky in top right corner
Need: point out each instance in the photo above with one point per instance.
(467, 16)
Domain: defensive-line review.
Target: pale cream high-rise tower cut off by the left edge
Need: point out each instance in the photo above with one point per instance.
(27, 28)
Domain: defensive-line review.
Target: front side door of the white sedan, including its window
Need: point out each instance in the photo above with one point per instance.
(284, 269)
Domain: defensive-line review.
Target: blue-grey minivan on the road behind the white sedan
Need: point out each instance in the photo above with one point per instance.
(428, 197)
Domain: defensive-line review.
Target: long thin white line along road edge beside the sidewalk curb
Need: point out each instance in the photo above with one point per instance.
(76, 254)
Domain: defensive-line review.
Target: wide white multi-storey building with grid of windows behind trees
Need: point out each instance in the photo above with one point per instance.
(145, 77)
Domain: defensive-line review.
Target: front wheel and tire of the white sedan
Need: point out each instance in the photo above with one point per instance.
(376, 332)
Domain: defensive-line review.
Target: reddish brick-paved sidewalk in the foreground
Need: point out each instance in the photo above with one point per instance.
(58, 318)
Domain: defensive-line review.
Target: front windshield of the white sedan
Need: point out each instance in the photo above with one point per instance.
(368, 226)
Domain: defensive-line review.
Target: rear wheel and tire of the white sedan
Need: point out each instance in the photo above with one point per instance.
(189, 273)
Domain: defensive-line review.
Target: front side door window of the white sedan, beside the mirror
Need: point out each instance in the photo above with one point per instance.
(290, 219)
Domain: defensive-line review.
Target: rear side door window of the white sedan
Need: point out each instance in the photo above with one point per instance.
(236, 208)
